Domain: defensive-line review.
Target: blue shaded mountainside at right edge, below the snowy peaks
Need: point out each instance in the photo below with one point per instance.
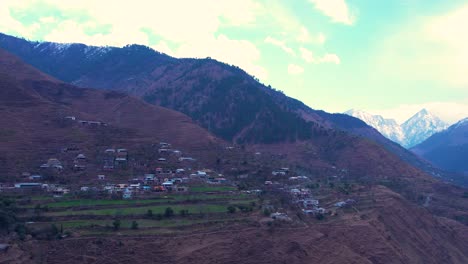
(447, 149)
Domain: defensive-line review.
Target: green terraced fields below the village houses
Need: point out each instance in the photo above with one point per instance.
(204, 207)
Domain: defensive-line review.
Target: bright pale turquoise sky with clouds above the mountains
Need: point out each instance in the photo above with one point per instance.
(388, 57)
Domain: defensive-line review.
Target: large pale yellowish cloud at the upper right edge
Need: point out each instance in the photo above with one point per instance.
(430, 49)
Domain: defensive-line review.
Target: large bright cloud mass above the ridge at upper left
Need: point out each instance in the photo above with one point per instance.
(180, 28)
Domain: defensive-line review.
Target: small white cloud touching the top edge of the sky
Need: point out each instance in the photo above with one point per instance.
(337, 10)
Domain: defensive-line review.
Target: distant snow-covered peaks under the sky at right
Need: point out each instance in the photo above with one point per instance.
(415, 130)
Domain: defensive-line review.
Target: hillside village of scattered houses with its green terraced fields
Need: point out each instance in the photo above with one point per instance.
(92, 192)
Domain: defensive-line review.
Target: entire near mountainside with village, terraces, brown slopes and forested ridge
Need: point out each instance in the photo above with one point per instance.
(194, 161)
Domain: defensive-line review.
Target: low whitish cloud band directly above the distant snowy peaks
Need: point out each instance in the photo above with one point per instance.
(450, 112)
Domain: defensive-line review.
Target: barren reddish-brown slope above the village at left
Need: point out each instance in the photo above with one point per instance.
(33, 128)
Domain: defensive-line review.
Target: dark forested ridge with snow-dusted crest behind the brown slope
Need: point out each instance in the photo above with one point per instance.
(219, 97)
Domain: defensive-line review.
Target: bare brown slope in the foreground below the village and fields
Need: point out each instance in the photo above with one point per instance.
(391, 230)
